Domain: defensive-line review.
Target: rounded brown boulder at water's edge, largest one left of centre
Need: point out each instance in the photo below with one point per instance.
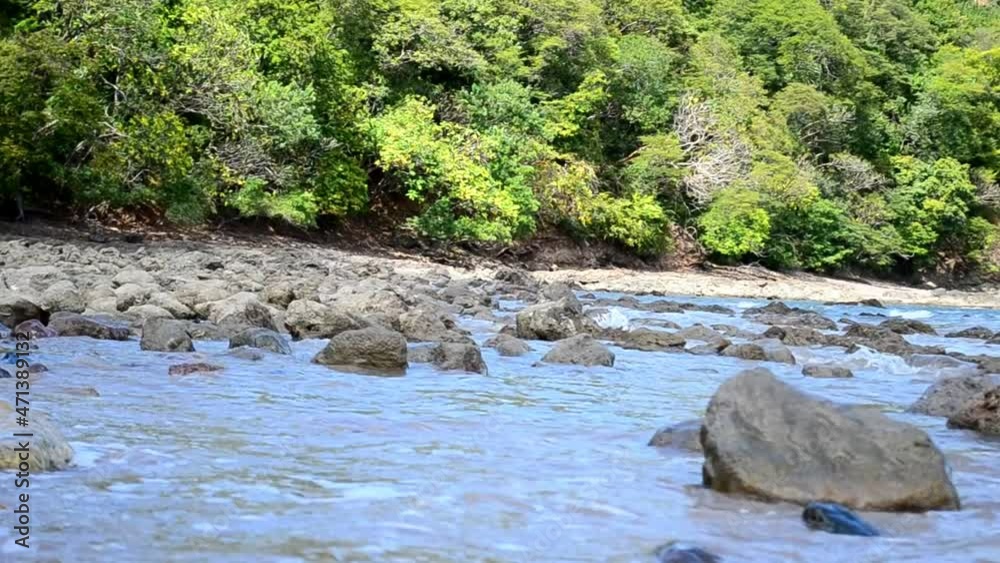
(373, 349)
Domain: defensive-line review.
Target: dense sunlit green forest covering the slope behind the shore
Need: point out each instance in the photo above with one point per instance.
(814, 134)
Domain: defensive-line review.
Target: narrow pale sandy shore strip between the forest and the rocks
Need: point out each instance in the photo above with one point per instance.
(730, 282)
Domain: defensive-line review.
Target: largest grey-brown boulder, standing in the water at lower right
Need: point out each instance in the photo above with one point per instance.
(766, 439)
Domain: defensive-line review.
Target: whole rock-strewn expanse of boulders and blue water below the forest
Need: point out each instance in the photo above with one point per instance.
(223, 397)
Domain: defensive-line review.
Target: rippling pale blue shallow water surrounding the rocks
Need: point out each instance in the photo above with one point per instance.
(283, 460)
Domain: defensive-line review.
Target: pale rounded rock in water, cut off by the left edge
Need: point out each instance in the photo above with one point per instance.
(49, 450)
